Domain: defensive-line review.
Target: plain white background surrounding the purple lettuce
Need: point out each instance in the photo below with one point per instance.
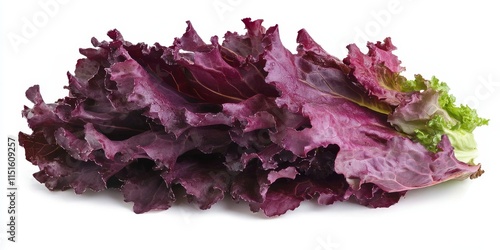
(457, 41)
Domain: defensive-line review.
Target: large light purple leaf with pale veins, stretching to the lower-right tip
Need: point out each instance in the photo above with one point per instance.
(369, 133)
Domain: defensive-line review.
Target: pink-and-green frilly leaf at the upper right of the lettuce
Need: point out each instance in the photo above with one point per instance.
(422, 109)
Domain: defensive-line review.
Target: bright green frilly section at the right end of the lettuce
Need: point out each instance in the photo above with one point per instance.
(445, 117)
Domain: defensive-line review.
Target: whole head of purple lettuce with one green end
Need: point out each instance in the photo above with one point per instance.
(249, 120)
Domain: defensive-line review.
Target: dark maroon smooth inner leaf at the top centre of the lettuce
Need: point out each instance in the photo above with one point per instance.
(212, 77)
